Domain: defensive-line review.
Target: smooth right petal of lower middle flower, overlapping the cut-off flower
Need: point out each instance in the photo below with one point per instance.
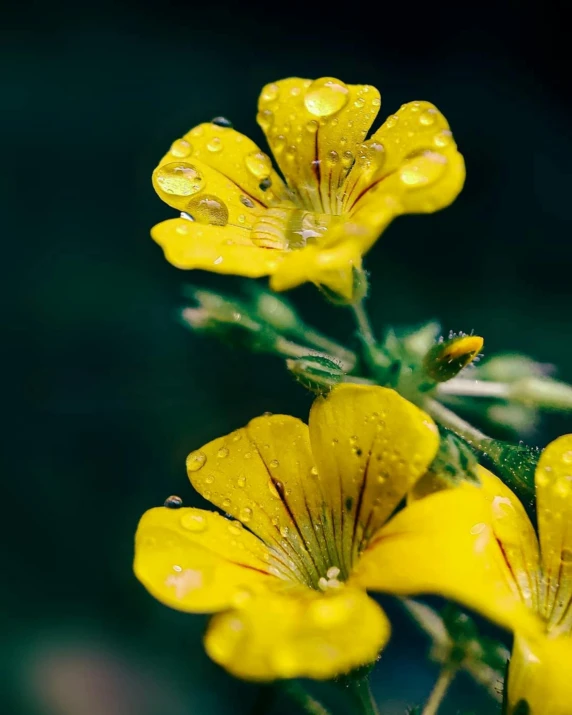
(444, 545)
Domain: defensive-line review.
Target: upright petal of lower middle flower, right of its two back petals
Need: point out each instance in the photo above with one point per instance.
(370, 445)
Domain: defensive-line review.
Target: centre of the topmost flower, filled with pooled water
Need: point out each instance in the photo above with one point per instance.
(289, 229)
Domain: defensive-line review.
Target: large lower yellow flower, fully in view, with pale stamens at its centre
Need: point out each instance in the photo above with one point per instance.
(308, 528)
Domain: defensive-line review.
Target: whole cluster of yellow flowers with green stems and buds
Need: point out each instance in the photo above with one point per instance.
(382, 490)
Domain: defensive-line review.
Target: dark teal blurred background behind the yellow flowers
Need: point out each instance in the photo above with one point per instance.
(107, 393)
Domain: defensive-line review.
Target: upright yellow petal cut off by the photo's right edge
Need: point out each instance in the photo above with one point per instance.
(554, 509)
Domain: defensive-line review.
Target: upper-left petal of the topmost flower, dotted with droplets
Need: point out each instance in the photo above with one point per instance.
(233, 159)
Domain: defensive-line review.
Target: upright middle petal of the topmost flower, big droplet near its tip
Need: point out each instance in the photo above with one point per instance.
(314, 129)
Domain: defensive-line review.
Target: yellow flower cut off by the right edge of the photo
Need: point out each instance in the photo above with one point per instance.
(541, 572)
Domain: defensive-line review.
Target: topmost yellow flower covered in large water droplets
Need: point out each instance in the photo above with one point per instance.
(341, 190)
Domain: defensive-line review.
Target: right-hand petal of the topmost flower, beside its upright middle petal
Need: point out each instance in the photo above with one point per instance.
(422, 166)
